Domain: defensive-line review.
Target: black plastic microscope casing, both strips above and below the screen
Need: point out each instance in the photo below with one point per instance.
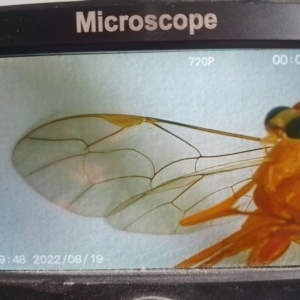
(51, 29)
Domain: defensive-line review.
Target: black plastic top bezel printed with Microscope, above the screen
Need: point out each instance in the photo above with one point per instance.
(51, 28)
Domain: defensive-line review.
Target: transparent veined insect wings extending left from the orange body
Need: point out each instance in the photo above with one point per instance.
(142, 175)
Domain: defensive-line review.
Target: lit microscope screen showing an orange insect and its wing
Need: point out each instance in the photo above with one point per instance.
(150, 160)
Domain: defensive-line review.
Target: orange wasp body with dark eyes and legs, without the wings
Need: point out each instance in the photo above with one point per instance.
(275, 224)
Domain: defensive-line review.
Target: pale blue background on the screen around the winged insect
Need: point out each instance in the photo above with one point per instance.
(232, 94)
